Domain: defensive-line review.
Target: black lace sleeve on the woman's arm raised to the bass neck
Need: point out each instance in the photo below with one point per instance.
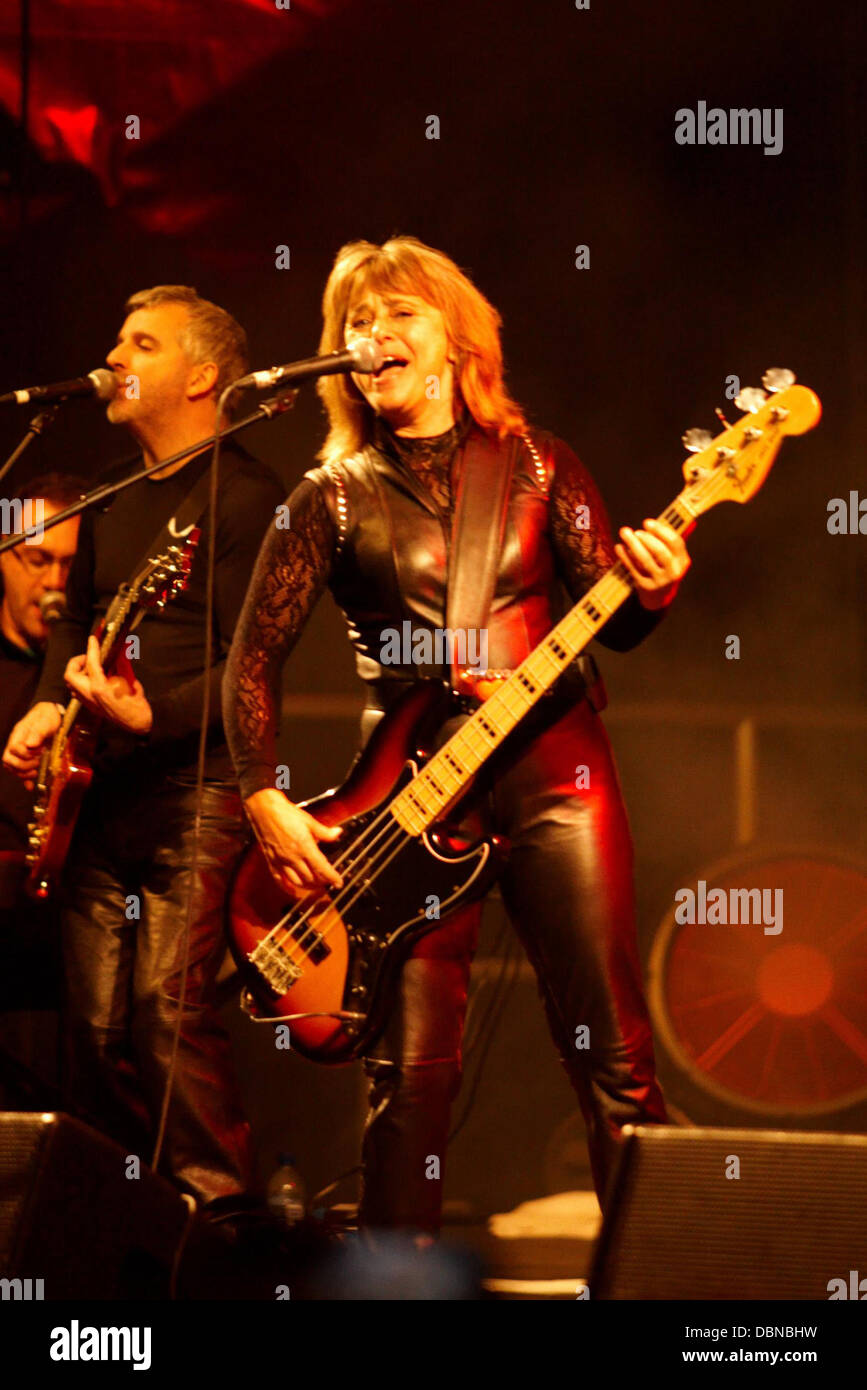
(584, 547)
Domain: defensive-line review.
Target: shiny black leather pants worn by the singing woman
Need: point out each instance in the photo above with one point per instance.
(569, 892)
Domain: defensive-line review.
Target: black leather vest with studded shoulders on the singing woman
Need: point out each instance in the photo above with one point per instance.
(393, 561)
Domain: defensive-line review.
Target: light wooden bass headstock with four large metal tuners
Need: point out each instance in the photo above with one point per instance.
(733, 466)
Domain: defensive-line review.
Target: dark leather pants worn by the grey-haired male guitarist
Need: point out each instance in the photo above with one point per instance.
(123, 938)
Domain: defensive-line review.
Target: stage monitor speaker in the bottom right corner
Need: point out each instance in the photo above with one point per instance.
(734, 1214)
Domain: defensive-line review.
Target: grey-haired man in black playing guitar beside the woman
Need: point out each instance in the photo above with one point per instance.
(133, 906)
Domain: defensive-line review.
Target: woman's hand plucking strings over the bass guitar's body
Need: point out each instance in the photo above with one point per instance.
(290, 839)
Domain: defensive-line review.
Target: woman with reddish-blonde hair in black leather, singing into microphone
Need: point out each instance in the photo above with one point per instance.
(377, 525)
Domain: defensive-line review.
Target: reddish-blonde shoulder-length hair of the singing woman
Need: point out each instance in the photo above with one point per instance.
(406, 266)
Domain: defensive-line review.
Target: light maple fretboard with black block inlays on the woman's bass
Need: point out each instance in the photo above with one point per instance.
(451, 771)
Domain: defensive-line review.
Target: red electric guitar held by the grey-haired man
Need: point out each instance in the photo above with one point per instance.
(66, 768)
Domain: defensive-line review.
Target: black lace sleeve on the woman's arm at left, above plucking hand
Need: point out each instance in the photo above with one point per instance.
(291, 573)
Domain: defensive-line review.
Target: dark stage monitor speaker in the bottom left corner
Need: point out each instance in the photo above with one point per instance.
(72, 1218)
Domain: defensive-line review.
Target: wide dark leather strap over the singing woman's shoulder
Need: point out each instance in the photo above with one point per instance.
(477, 533)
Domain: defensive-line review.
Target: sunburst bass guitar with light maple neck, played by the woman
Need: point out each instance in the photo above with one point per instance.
(327, 964)
